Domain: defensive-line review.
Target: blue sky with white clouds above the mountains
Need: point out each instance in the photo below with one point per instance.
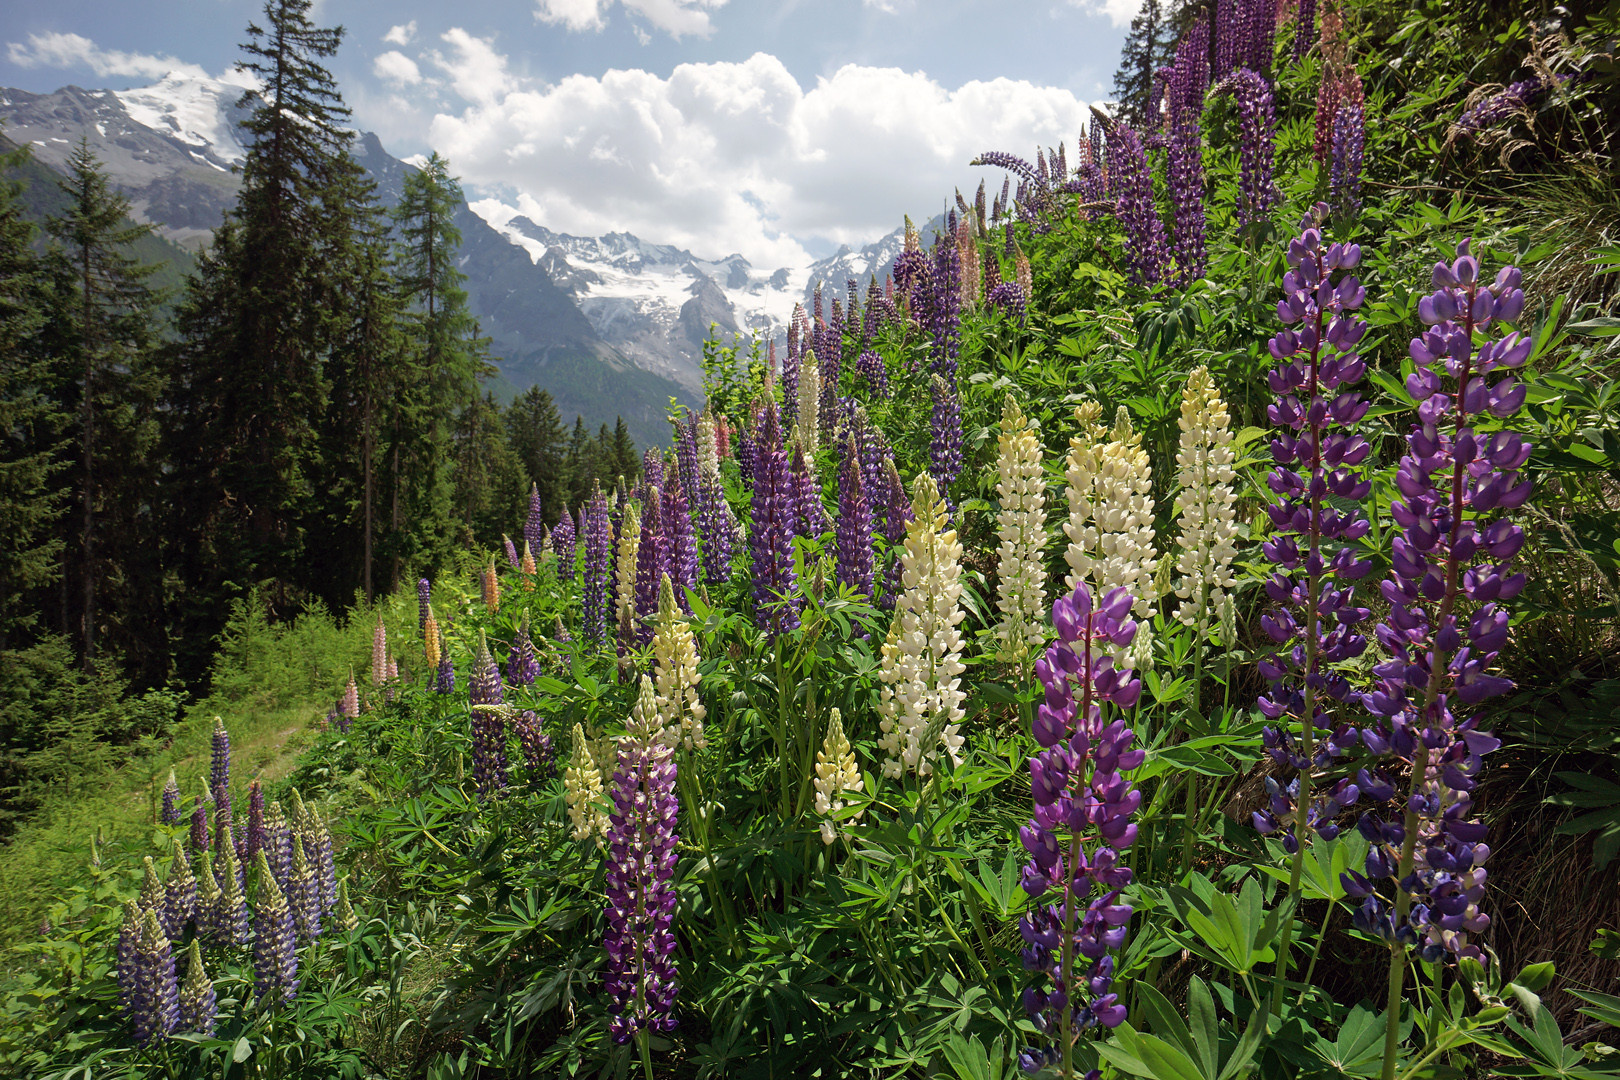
(777, 130)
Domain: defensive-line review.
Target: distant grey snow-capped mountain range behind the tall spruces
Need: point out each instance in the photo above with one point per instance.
(608, 325)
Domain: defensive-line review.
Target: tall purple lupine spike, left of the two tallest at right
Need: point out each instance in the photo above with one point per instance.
(1313, 624)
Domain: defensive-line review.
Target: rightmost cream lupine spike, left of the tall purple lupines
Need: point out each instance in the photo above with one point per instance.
(1204, 506)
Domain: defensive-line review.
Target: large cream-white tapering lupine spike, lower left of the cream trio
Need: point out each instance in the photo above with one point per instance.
(923, 660)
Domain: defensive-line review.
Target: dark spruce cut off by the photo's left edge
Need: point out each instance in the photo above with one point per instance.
(32, 500)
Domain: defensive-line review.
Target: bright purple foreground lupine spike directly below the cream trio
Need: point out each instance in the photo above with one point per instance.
(1078, 781)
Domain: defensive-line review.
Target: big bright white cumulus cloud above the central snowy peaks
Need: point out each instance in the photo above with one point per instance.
(728, 158)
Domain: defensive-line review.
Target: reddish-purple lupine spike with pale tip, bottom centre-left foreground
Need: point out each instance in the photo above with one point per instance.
(641, 946)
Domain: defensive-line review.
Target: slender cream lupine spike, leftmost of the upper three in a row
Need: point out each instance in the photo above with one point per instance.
(1021, 587)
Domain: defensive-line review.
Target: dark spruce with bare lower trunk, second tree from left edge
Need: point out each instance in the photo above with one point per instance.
(108, 326)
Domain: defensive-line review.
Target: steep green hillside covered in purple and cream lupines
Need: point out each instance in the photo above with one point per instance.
(1166, 631)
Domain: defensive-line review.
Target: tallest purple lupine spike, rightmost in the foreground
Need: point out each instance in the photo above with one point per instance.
(1454, 545)
